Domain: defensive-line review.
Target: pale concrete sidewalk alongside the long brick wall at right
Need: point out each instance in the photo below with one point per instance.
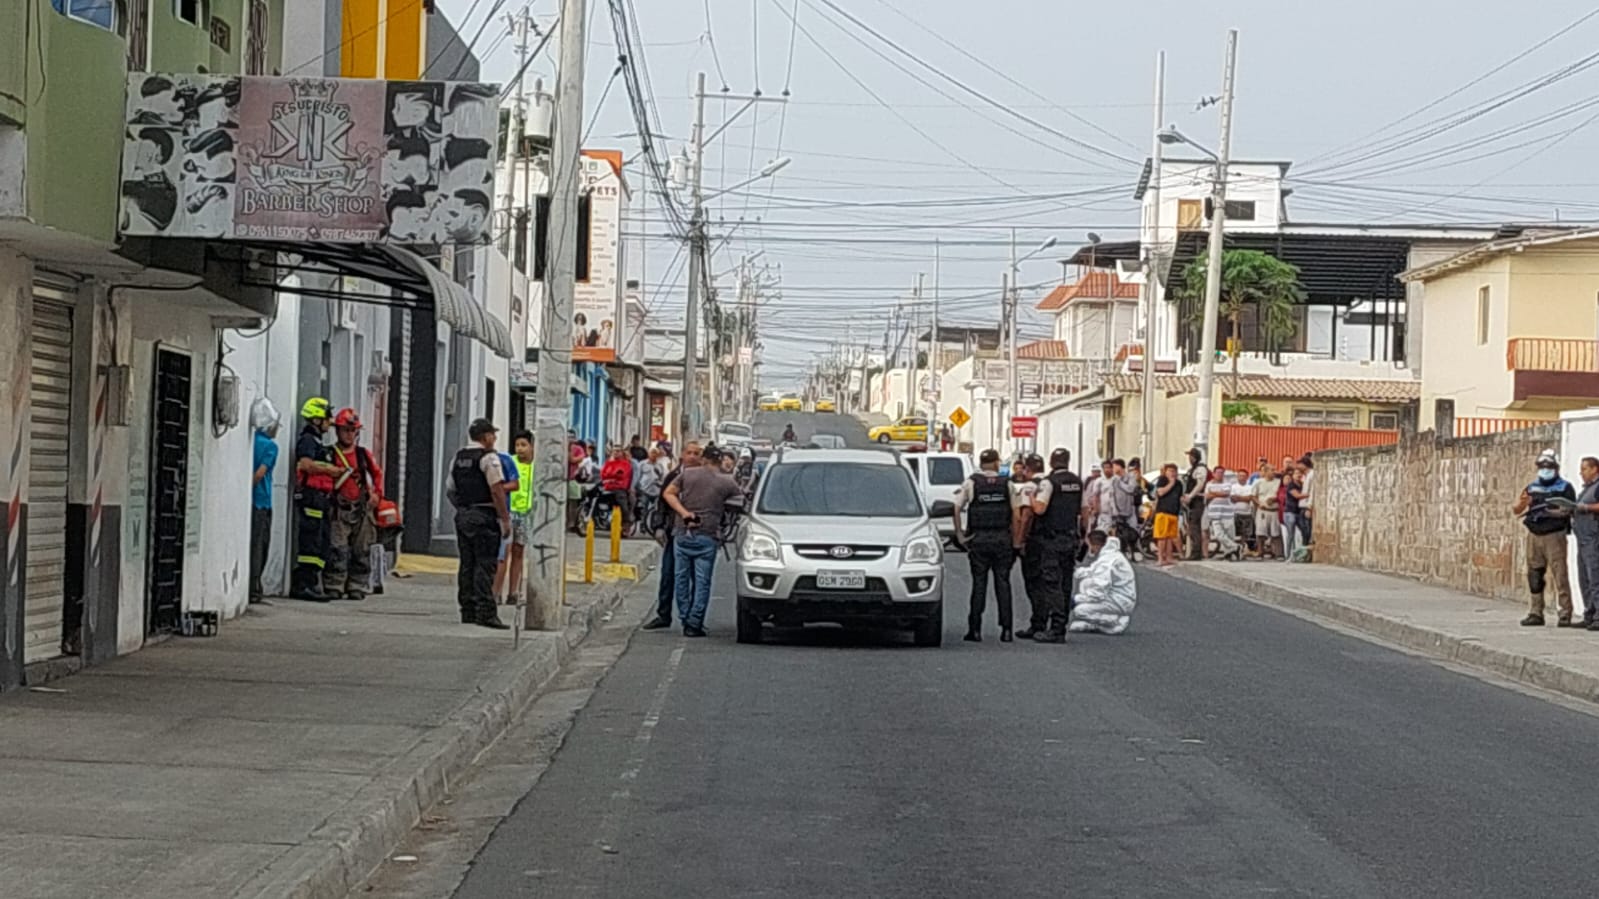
(1470, 631)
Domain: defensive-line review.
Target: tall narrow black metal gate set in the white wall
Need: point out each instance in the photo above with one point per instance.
(170, 487)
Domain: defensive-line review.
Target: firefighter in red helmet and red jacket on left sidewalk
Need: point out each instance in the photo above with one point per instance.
(356, 495)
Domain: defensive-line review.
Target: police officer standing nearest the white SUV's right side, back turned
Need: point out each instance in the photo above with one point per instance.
(986, 497)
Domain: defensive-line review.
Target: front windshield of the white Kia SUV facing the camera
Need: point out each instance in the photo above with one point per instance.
(855, 490)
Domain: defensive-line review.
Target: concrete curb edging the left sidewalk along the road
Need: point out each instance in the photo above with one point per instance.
(340, 857)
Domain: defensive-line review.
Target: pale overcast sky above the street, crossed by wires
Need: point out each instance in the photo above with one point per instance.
(1320, 86)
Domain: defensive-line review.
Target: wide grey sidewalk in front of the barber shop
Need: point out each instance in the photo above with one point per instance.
(282, 759)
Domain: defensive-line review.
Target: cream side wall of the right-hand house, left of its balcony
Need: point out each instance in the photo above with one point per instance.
(1457, 367)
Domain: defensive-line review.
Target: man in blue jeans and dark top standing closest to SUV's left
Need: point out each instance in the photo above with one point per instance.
(698, 497)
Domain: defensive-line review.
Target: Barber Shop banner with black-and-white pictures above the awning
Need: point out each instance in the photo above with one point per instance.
(340, 161)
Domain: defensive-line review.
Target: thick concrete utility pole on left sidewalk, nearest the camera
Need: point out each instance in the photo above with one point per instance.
(546, 577)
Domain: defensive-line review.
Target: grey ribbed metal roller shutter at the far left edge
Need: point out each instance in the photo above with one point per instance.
(50, 409)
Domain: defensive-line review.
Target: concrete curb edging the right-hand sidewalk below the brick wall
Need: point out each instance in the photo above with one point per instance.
(1461, 650)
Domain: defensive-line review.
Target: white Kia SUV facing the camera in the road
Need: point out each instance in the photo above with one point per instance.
(840, 537)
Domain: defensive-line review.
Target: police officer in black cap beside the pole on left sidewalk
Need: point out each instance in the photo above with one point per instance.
(477, 490)
